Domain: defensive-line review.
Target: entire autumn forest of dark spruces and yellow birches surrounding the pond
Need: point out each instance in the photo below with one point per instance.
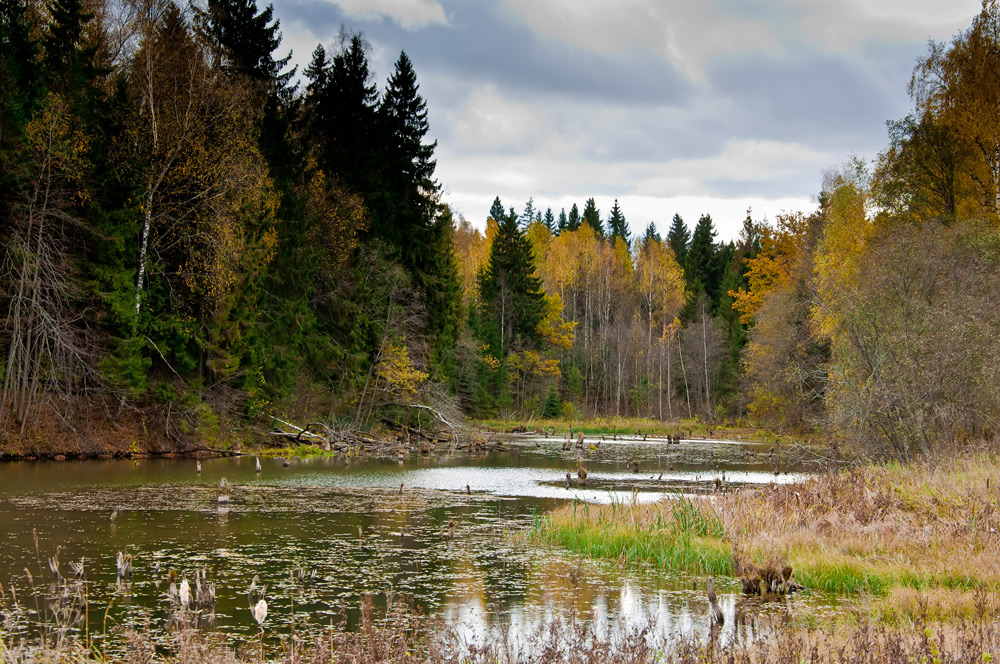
(198, 238)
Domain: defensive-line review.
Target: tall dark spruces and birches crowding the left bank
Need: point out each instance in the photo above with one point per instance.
(192, 241)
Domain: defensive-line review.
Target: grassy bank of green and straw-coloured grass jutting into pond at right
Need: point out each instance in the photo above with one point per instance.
(886, 530)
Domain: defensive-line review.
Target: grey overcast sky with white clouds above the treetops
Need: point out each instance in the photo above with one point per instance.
(689, 106)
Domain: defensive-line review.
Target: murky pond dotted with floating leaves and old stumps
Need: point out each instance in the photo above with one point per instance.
(444, 529)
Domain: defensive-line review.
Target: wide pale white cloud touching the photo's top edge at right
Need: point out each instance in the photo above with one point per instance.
(689, 35)
